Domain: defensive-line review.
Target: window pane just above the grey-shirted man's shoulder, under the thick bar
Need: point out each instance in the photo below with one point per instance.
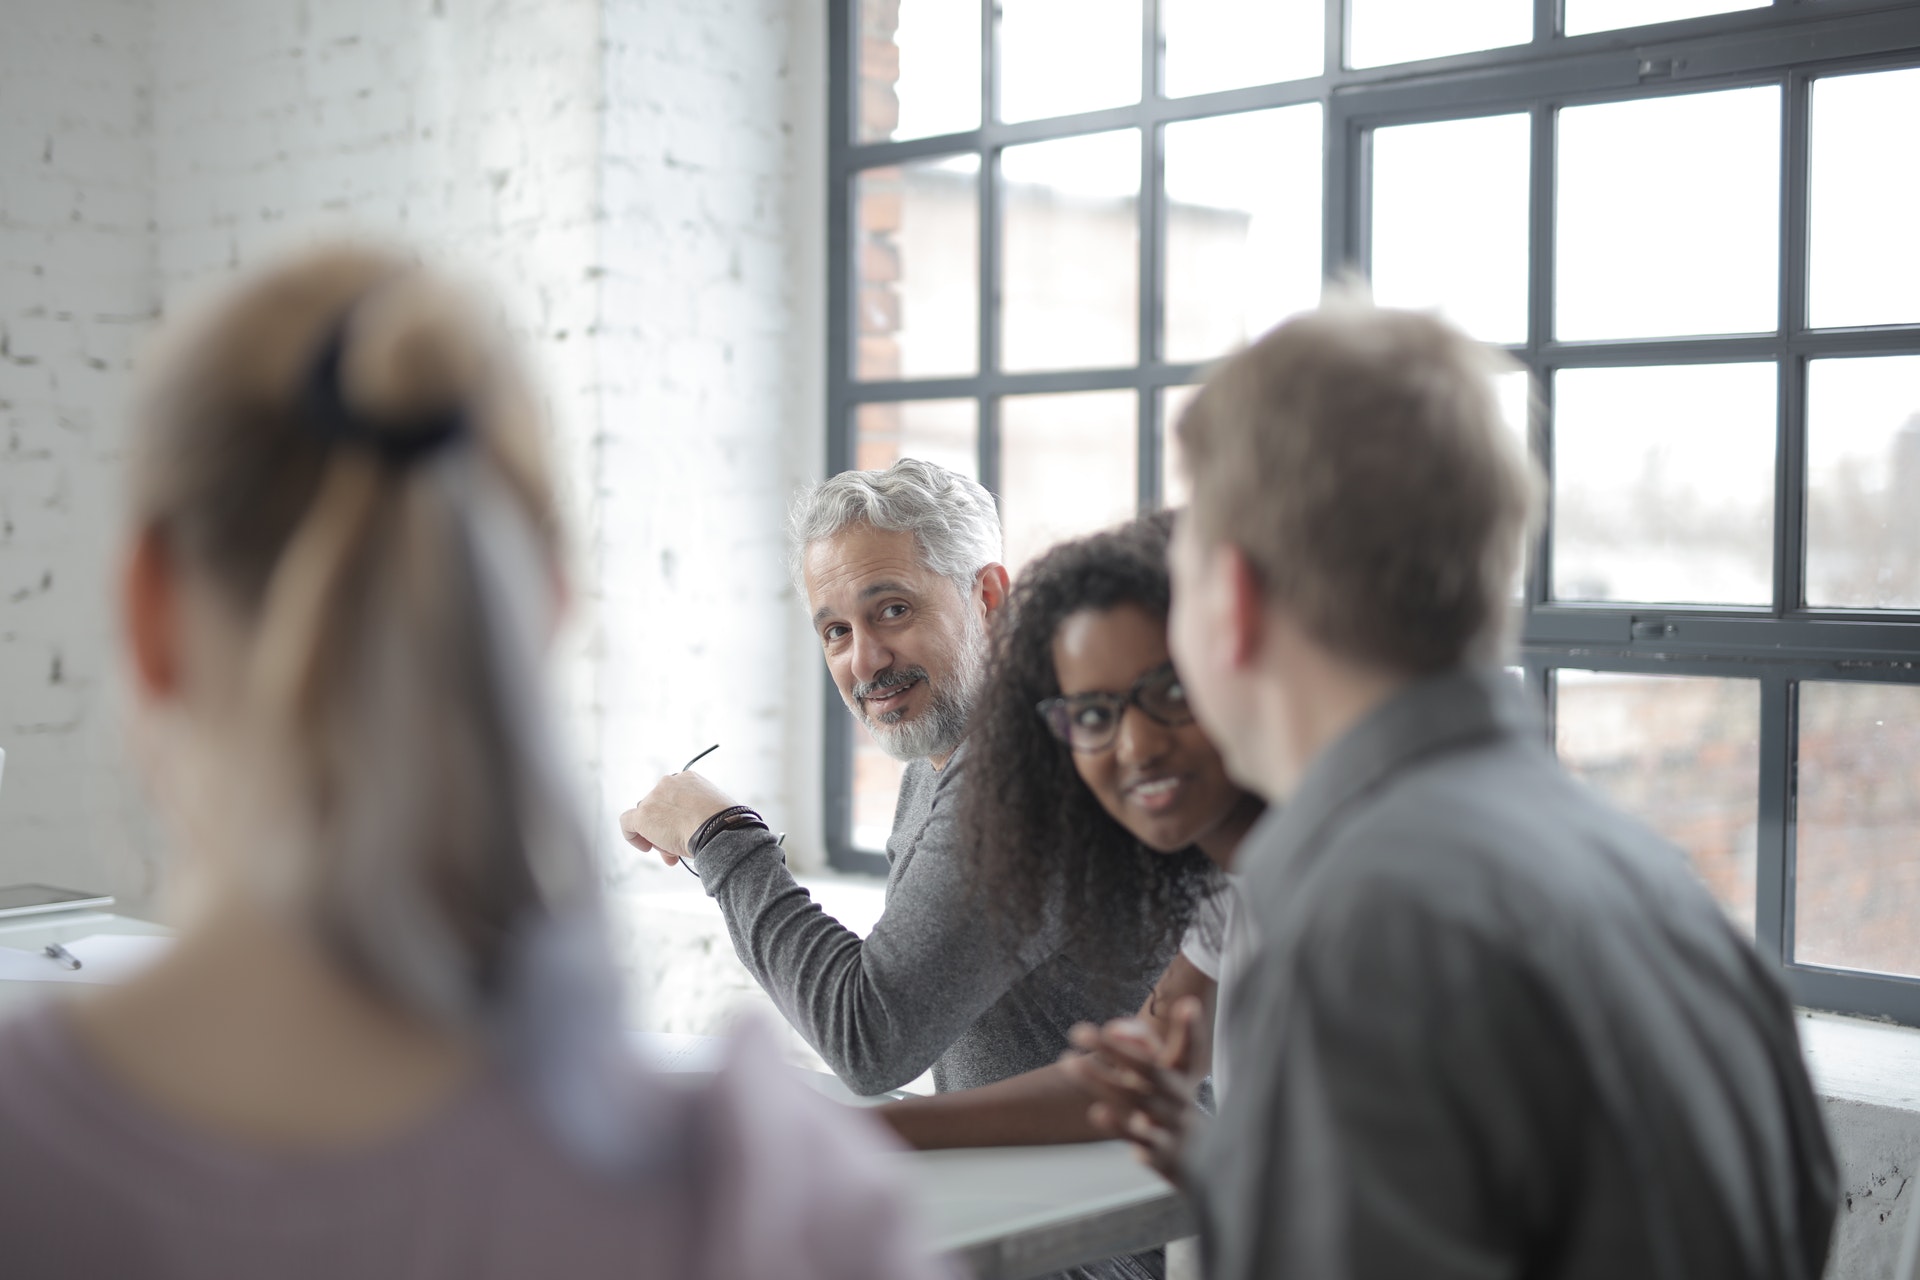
(1683, 755)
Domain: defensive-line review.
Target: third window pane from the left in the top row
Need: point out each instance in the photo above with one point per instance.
(1214, 45)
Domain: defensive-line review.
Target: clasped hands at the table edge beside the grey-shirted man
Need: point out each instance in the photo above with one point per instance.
(1141, 1085)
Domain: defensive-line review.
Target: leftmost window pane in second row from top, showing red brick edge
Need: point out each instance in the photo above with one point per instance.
(917, 270)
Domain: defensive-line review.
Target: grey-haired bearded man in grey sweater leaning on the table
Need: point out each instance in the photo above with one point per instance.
(901, 573)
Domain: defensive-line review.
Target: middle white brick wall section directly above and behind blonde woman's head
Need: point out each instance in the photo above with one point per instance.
(466, 130)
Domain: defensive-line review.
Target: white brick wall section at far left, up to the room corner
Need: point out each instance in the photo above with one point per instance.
(76, 298)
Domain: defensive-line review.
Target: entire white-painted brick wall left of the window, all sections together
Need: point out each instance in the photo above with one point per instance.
(631, 178)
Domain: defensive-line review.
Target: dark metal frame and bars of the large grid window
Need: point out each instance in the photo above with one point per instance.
(1788, 43)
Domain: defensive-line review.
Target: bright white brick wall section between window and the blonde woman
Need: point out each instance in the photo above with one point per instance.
(708, 352)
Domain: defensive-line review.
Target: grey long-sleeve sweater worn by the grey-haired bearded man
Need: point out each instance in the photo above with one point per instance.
(934, 984)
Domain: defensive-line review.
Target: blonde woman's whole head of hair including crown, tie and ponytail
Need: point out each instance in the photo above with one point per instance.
(354, 463)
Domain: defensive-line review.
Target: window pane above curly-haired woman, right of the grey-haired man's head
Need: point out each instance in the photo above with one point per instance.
(1068, 465)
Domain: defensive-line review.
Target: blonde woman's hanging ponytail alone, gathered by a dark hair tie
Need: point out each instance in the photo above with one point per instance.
(389, 652)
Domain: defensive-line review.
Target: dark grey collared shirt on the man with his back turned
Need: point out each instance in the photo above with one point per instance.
(1499, 1030)
